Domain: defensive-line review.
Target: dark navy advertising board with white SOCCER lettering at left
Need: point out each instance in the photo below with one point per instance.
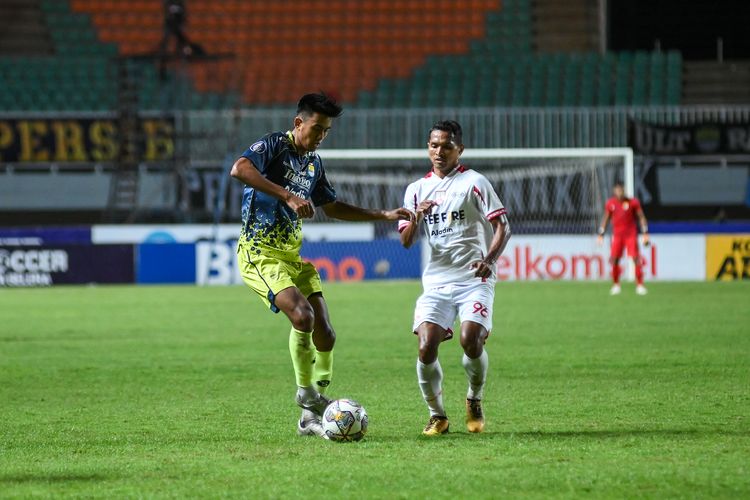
(22, 266)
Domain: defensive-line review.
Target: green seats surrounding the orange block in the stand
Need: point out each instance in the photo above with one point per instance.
(499, 69)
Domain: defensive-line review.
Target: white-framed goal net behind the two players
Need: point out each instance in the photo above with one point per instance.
(546, 191)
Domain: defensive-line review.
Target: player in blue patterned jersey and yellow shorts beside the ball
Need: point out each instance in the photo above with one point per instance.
(284, 182)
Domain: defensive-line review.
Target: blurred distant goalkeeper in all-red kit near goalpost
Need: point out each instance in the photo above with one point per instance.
(624, 211)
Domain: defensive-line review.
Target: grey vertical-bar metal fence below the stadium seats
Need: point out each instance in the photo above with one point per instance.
(483, 127)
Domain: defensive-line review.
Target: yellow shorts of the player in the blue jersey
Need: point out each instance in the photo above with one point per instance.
(267, 276)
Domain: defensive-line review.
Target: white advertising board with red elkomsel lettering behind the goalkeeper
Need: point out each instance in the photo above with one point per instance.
(670, 257)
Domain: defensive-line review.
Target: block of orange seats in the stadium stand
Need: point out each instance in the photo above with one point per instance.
(335, 43)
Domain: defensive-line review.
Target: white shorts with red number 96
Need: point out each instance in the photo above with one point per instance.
(471, 302)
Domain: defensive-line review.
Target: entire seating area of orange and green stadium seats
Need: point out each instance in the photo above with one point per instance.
(384, 54)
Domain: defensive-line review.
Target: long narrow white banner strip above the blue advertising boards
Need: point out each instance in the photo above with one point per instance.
(191, 233)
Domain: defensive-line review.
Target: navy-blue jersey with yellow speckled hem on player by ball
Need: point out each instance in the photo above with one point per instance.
(269, 226)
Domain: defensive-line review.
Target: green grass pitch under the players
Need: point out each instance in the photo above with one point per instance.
(188, 392)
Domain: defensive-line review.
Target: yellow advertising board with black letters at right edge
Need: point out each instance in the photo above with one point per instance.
(728, 257)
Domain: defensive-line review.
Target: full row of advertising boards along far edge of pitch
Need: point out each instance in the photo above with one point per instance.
(205, 255)
